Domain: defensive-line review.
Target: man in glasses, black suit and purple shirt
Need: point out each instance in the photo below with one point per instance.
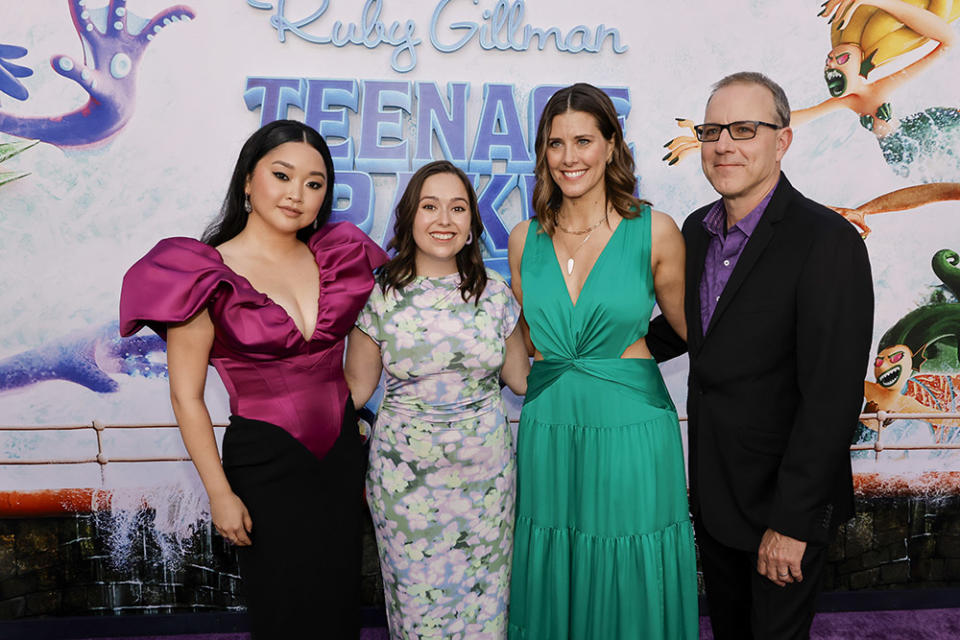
(779, 307)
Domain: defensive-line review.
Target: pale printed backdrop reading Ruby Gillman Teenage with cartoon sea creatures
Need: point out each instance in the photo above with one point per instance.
(140, 108)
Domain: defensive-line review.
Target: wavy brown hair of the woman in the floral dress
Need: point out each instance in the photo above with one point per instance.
(402, 268)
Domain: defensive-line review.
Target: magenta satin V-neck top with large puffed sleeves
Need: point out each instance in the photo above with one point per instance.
(271, 372)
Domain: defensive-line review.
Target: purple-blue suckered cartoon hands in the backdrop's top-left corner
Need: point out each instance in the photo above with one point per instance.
(114, 41)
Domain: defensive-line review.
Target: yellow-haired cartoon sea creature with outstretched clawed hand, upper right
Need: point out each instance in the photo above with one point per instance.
(868, 34)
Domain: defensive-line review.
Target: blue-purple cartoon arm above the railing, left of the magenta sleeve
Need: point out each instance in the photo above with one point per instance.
(86, 359)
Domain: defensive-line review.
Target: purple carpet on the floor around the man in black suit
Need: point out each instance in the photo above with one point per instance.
(916, 624)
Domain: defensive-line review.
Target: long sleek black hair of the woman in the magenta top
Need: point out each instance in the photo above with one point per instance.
(233, 218)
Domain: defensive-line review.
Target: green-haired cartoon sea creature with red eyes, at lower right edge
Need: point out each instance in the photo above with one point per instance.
(926, 338)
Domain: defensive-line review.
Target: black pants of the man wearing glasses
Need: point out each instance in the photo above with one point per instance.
(745, 605)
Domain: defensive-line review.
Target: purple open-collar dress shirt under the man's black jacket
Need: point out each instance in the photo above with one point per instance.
(724, 251)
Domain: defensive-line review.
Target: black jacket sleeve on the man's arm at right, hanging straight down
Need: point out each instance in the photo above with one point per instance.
(834, 327)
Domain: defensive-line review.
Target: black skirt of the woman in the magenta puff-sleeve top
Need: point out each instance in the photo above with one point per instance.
(301, 575)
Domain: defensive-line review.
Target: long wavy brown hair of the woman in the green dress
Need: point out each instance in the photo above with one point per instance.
(619, 178)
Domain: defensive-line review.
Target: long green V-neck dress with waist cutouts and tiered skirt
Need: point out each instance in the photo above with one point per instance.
(603, 546)
